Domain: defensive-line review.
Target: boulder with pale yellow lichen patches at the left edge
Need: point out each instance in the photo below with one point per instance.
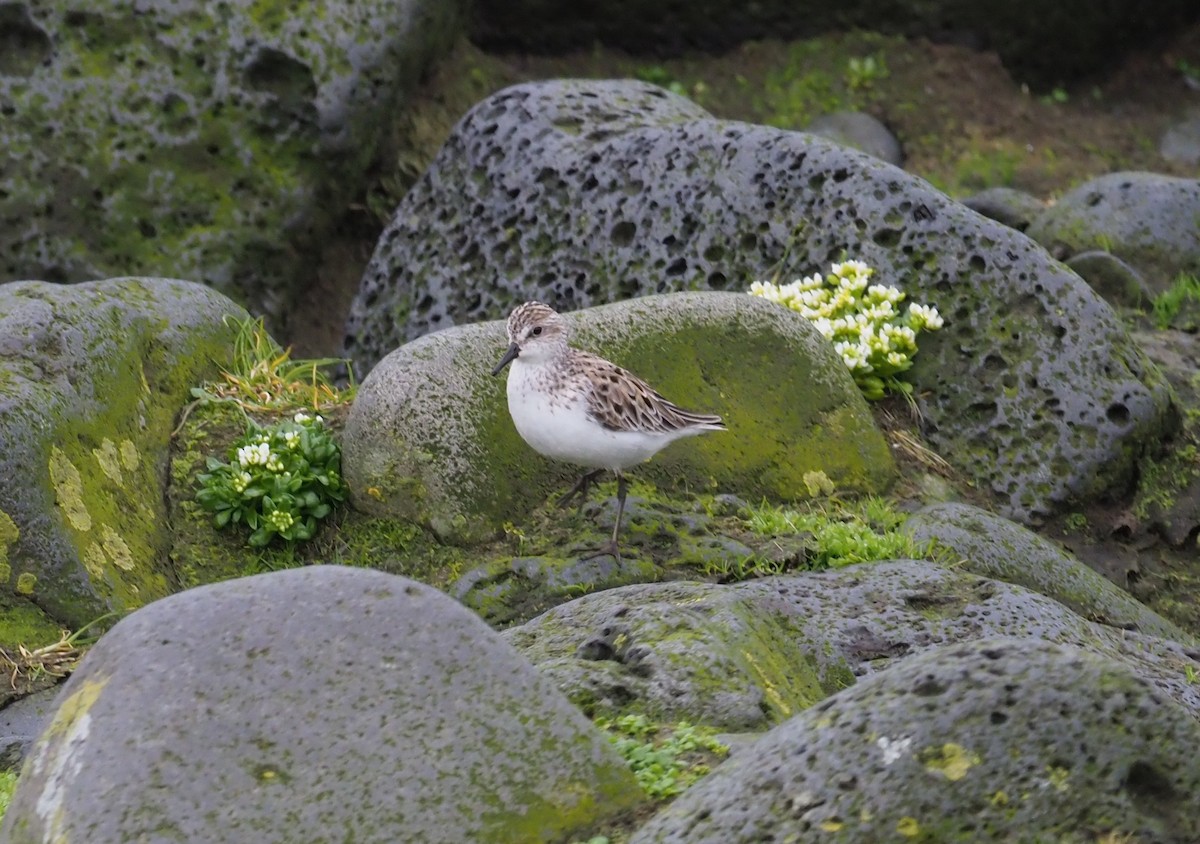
(92, 380)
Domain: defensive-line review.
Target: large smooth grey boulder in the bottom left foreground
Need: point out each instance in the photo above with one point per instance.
(325, 704)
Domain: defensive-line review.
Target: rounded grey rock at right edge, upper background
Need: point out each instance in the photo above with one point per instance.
(1149, 220)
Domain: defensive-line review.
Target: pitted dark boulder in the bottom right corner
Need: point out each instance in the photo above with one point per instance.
(998, 740)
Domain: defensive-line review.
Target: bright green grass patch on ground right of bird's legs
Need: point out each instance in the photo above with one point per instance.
(843, 534)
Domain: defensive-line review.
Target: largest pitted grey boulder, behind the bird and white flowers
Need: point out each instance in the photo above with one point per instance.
(584, 193)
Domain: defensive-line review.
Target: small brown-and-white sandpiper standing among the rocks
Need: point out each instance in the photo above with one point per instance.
(579, 409)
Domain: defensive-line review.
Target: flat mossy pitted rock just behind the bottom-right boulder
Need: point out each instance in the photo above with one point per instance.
(749, 655)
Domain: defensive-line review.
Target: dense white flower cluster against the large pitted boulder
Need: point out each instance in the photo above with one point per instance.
(862, 321)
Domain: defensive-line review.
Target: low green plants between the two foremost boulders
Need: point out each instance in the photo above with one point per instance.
(665, 759)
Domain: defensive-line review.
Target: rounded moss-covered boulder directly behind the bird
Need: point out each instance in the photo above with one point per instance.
(430, 439)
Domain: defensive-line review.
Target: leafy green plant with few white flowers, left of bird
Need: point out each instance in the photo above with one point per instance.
(280, 481)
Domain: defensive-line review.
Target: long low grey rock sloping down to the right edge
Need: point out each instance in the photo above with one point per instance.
(998, 548)
